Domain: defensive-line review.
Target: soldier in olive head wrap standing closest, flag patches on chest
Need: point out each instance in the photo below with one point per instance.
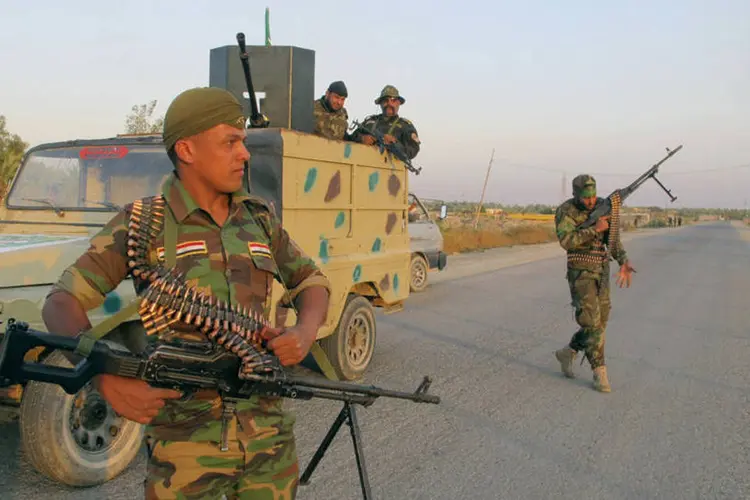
(222, 249)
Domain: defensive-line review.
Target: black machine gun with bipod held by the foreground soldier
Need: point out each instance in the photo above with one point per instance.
(191, 366)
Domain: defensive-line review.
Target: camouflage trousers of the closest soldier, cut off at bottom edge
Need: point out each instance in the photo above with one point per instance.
(186, 461)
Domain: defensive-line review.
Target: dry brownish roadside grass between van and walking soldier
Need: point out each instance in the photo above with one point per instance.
(459, 239)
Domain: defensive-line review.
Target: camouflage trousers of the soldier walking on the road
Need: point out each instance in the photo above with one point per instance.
(589, 292)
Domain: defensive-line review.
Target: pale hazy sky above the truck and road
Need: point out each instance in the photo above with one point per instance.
(555, 88)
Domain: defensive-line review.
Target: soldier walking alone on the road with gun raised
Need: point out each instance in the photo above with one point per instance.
(588, 278)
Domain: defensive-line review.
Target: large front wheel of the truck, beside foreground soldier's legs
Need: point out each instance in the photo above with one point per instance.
(76, 439)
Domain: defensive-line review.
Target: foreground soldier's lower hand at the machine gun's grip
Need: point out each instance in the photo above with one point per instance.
(134, 399)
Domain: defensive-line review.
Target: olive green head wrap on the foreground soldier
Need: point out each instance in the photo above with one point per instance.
(199, 109)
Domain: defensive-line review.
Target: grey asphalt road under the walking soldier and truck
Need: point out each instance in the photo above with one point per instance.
(510, 426)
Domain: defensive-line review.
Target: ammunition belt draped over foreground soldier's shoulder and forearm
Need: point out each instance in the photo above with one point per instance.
(169, 299)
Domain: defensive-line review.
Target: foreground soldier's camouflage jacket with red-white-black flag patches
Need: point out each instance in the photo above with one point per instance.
(234, 263)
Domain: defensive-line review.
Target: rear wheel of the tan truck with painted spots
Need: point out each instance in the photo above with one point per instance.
(351, 346)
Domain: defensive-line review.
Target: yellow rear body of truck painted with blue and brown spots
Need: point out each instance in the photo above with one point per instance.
(346, 205)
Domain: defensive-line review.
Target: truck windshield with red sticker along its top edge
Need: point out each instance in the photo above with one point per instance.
(90, 178)
